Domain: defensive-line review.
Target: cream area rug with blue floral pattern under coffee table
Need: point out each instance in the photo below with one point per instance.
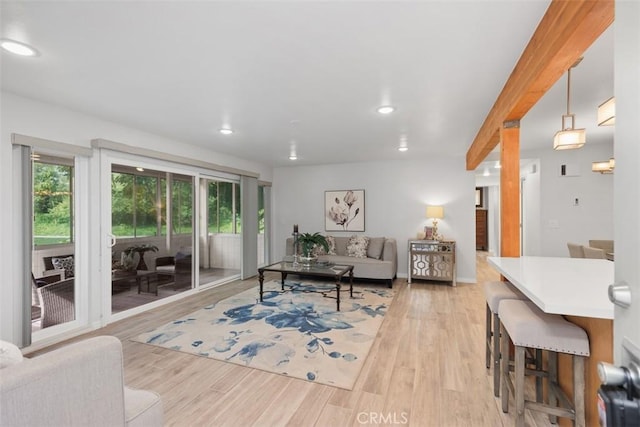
(295, 333)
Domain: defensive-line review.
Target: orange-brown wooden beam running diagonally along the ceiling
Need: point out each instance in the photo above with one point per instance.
(566, 30)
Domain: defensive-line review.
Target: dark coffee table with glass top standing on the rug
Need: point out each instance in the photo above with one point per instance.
(336, 272)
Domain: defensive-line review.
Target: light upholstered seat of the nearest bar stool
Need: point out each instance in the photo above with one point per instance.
(528, 326)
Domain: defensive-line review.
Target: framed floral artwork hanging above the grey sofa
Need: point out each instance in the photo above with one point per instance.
(344, 210)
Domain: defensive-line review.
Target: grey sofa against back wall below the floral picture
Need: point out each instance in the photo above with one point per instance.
(381, 262)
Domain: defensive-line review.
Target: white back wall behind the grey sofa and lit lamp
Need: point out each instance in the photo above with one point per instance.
(396, 196)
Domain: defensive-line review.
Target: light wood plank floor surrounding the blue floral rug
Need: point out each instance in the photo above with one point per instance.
(426, 368)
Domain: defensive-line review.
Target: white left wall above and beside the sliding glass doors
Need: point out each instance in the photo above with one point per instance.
(37, 119)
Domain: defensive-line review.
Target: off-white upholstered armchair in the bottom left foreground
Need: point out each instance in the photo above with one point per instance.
(81, 384)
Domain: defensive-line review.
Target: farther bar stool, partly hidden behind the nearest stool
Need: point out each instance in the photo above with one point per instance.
(494, 293)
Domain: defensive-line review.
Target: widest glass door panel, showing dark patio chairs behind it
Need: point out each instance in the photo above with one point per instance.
(152, 222)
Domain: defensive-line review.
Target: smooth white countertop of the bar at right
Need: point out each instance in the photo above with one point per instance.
(569, 286)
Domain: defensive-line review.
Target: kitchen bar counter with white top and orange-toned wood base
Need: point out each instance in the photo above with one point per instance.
(576, 288)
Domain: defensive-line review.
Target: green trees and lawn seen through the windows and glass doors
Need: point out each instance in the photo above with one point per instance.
(138, 205)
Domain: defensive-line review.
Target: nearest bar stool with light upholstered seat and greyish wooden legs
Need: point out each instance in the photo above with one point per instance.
(529, 327)
